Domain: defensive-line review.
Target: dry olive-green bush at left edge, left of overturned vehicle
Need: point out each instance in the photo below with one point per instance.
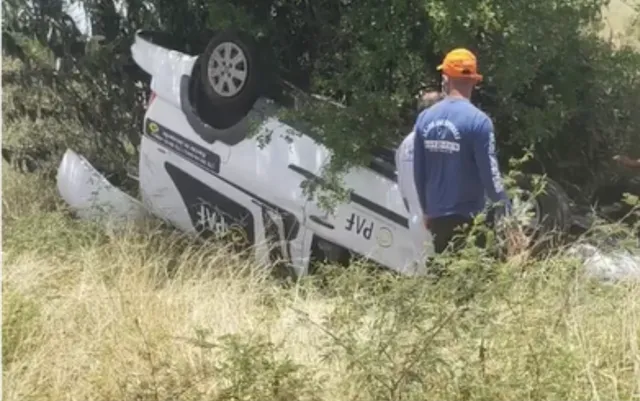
(47, 110)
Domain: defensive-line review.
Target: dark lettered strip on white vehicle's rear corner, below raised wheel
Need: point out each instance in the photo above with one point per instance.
(185, 148)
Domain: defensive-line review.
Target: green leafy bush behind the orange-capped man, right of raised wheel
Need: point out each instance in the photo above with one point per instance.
(551, 82)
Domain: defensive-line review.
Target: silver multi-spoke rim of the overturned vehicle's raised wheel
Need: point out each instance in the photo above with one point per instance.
(227, 69)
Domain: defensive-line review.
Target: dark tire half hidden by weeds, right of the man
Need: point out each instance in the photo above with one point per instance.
(552, 215)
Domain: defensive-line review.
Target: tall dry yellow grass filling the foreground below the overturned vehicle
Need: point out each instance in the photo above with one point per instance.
(143, 314)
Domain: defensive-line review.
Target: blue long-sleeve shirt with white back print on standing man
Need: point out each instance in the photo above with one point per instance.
(455, 160)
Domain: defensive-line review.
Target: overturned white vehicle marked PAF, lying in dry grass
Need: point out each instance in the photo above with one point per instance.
(199, 170)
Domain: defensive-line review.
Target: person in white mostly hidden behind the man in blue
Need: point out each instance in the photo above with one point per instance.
(406, 183)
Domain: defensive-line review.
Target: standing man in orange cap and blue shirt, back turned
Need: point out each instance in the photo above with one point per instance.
(454, 154)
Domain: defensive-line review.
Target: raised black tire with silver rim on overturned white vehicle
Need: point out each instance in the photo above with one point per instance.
(231, 74)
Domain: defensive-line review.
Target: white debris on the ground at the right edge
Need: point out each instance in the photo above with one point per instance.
(618, 265)
